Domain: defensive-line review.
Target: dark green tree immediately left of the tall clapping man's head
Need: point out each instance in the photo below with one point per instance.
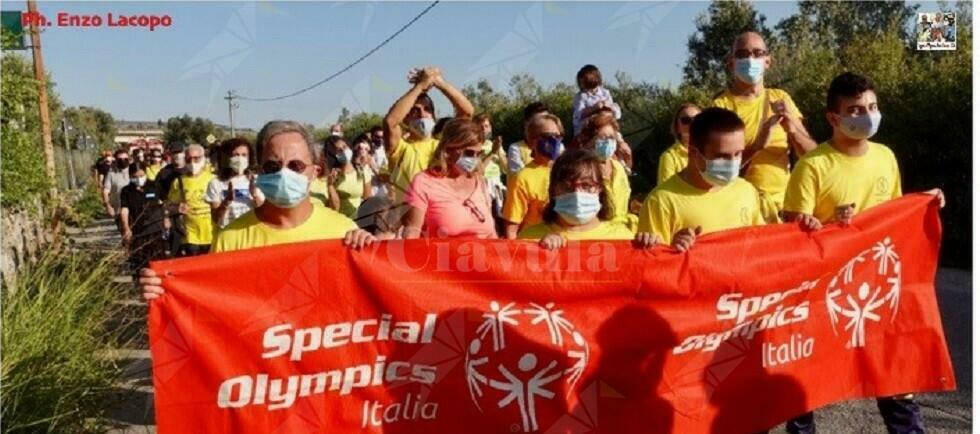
(716, 29)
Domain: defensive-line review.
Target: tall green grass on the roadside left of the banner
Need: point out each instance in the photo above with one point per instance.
(56, 330)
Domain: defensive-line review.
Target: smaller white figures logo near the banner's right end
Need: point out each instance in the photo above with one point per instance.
(861, 288)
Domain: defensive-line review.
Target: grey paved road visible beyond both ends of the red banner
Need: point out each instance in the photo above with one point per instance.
(945, 413)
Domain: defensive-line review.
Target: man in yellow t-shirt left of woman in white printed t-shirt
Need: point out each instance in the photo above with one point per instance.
(186, 200)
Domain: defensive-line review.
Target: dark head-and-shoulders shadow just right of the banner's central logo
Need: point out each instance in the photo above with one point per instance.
(620, 395)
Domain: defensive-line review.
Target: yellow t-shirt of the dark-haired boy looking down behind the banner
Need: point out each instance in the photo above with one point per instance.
(675, 205)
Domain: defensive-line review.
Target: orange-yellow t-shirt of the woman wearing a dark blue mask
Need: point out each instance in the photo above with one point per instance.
(527, 195)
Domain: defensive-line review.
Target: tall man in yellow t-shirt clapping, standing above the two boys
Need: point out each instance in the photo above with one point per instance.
(773, 123)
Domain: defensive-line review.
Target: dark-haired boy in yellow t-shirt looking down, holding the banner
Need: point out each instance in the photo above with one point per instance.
(707, 196)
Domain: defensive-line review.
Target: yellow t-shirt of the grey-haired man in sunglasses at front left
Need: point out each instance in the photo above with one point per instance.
(248, 232)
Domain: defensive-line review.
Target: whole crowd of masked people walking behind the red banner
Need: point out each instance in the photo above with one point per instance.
(746, 160)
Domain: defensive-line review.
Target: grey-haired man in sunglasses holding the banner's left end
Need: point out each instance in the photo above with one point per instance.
(286, 158)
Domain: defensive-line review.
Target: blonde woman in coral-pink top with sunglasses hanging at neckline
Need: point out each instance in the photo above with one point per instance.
(451, 199)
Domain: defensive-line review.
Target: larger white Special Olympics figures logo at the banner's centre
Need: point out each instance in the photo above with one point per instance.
(521, 376)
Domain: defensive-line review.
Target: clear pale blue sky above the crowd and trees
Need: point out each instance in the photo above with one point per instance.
(264, 49)
